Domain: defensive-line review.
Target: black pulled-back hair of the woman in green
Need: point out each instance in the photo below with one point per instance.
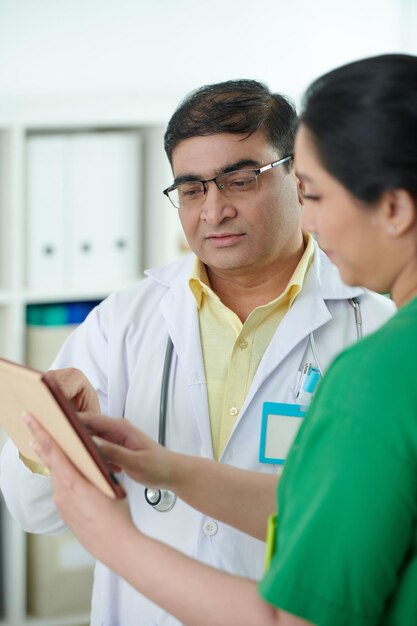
(363, 121)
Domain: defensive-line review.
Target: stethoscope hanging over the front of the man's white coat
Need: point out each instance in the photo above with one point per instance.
(163, 499)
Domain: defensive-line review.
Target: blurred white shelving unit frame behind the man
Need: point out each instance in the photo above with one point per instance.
(159, 239)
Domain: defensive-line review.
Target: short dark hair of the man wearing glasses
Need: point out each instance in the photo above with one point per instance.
(234, 106)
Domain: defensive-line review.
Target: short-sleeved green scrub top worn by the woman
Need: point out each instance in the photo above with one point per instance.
(346, 540)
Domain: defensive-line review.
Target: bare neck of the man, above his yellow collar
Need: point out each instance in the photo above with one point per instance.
(244, 290)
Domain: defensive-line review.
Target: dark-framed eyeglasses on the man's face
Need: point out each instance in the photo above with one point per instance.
(192, 193)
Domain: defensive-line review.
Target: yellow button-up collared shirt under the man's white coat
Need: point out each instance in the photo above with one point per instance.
(232, 351)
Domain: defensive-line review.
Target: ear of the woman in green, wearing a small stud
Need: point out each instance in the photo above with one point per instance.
(398, 211)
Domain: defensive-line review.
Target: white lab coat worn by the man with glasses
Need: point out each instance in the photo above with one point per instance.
(121, 348)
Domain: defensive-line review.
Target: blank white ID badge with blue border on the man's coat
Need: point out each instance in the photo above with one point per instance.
(280, 424)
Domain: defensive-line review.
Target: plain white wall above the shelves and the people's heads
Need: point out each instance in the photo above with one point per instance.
(169, 47)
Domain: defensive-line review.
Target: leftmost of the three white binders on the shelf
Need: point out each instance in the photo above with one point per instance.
(47, 207)
